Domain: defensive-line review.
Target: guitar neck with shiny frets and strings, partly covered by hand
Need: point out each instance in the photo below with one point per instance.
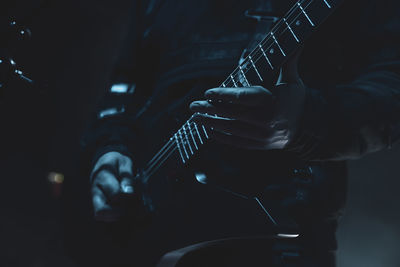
(285, 38)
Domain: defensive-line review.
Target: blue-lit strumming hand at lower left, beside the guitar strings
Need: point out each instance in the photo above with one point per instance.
(112, 186)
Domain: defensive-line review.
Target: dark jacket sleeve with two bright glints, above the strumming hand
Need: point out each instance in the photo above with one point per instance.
(112, 127)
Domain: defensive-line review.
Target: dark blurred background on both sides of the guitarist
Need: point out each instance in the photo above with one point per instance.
(70, 55)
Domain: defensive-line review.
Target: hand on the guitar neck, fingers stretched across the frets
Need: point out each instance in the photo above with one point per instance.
(253, 117)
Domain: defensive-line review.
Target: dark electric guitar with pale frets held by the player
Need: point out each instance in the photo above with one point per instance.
(260, 66)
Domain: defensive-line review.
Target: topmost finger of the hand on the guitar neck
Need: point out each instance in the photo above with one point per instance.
(248, 96)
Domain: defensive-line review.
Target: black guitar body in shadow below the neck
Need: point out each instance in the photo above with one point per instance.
(188, 211)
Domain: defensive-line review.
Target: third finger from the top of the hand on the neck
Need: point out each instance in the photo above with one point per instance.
(233, 127)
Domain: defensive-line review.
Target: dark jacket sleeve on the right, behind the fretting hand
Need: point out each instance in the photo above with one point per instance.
(347, 121)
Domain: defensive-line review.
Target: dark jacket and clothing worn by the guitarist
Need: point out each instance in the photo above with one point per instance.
(178, 49)
